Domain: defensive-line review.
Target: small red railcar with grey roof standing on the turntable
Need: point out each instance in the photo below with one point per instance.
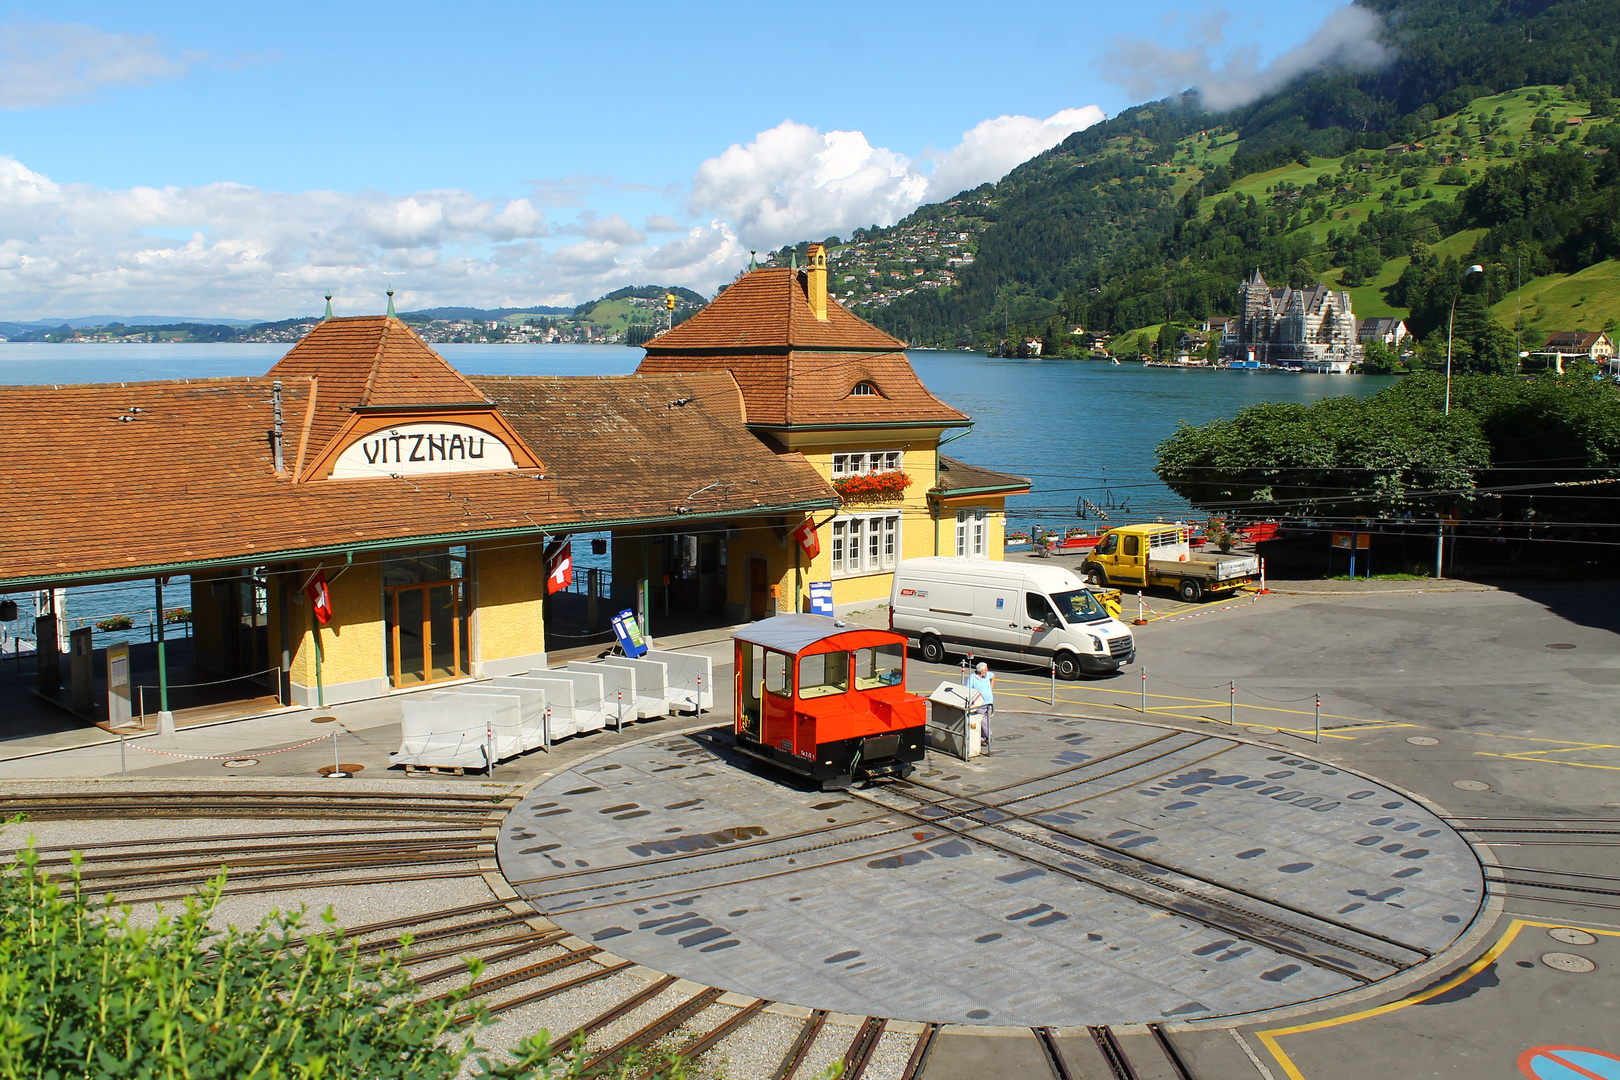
(827, 700)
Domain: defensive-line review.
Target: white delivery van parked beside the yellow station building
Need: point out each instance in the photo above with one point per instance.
(1020, 613)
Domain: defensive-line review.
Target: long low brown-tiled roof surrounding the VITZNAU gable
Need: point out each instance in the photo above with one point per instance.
(122, 480)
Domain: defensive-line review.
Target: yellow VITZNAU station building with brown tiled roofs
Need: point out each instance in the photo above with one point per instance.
(432, 503)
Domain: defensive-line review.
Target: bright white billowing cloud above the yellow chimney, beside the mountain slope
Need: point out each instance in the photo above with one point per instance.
(795, 182)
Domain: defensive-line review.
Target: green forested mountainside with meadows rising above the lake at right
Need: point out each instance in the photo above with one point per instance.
(1156, 216)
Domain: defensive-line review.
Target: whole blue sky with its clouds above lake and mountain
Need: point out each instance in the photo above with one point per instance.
(241, 159)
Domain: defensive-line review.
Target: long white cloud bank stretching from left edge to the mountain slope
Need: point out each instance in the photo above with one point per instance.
(232, 250)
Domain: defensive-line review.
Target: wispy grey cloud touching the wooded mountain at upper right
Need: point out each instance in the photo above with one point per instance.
(1349, 38)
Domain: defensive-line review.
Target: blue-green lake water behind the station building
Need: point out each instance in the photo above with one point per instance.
(1076, 428)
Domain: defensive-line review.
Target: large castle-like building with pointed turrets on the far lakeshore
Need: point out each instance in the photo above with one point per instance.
(1311, 330)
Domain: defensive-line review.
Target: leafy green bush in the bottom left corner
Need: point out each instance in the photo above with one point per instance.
(90, 992)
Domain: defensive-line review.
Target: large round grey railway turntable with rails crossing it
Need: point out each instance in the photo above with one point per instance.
(1093, 874)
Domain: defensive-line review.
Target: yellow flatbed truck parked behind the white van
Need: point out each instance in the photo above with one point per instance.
(1159, 556)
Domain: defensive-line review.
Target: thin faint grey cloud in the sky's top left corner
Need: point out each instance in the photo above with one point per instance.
(49, 64)
